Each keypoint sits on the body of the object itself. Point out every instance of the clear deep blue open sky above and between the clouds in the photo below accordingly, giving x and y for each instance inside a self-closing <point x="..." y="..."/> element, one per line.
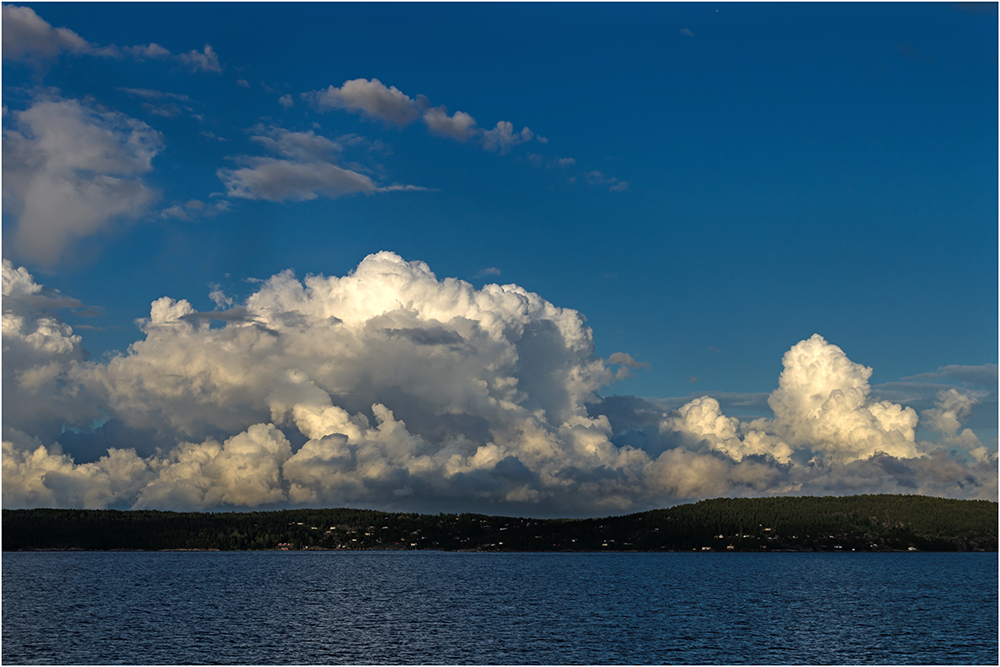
<point x="791" y="169"/>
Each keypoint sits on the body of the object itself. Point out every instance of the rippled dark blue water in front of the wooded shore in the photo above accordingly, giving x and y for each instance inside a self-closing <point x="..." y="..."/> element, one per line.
<point x="422" y="607"/>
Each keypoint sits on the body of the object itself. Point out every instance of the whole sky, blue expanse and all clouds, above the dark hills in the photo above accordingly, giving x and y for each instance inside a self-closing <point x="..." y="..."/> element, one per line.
<point x="533" y="259"/>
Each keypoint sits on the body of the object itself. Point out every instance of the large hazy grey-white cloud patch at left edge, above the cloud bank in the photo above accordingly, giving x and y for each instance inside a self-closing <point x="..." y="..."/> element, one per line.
<point x="70" y="170"/>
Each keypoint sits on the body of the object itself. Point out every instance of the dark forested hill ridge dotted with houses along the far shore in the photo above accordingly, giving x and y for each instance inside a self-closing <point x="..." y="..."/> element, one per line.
<point x="859" y="523"/>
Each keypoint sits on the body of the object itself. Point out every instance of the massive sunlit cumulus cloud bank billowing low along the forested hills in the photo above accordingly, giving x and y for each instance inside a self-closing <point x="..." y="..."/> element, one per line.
<point x="391" y="388"/>
